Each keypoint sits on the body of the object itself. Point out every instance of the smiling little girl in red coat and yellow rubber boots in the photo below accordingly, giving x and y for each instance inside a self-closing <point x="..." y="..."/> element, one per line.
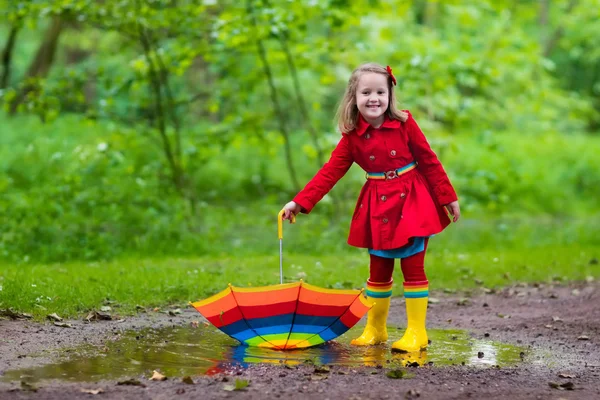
<point x="406" y="198"/>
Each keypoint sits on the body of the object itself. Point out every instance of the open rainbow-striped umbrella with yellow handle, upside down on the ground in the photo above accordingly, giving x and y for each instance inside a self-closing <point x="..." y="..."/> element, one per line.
<point x="285" y="316"/>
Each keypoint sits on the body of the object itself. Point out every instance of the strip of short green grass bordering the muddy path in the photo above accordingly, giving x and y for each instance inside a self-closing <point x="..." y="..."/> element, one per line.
<point x="75" y="288"/>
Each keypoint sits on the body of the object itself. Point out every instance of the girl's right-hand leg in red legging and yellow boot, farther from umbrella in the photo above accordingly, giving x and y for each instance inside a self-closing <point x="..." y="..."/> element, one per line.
<point x="416" y="293"/>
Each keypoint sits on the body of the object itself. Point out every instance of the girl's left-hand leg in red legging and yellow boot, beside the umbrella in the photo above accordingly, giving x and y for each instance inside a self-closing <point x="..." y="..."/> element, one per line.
<point x="379" y="291"/>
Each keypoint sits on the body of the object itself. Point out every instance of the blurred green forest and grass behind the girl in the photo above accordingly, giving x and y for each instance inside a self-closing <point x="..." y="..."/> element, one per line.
<point x="166" y="135"/>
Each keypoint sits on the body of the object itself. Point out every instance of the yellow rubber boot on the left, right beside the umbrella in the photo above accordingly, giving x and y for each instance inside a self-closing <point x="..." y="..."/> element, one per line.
<point x="376" y="330"/>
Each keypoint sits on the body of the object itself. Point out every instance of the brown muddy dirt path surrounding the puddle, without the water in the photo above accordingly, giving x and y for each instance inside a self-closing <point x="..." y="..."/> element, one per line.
<point x="561" y="322"/>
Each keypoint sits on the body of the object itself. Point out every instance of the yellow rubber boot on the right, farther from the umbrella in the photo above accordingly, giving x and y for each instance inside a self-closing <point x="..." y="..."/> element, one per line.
<point x="415" y="336"/>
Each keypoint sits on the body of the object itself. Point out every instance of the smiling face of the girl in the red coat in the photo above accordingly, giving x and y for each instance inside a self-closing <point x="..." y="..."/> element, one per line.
<point x="373" y="97"/>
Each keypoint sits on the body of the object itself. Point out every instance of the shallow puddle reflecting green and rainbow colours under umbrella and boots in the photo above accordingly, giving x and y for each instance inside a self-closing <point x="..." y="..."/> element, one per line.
<point x="184" y="351"/>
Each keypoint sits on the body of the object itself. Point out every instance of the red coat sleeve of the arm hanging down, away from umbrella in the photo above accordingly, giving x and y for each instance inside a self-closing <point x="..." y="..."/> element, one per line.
<point x="428" y="164"/>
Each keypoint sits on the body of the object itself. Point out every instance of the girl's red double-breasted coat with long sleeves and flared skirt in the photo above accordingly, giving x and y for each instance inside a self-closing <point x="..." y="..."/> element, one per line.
<point x="388" y="212"/>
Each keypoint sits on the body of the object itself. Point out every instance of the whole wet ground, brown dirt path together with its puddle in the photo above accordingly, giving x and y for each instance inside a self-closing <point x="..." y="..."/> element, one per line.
<point x="524" y="342"/>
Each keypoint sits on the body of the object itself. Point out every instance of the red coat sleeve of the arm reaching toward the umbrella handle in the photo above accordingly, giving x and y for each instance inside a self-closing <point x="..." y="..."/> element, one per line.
<point x="332" y="171"/>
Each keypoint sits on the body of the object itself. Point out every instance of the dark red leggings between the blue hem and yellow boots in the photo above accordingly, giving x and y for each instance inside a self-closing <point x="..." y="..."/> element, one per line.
<point x="413" y="267"/>
